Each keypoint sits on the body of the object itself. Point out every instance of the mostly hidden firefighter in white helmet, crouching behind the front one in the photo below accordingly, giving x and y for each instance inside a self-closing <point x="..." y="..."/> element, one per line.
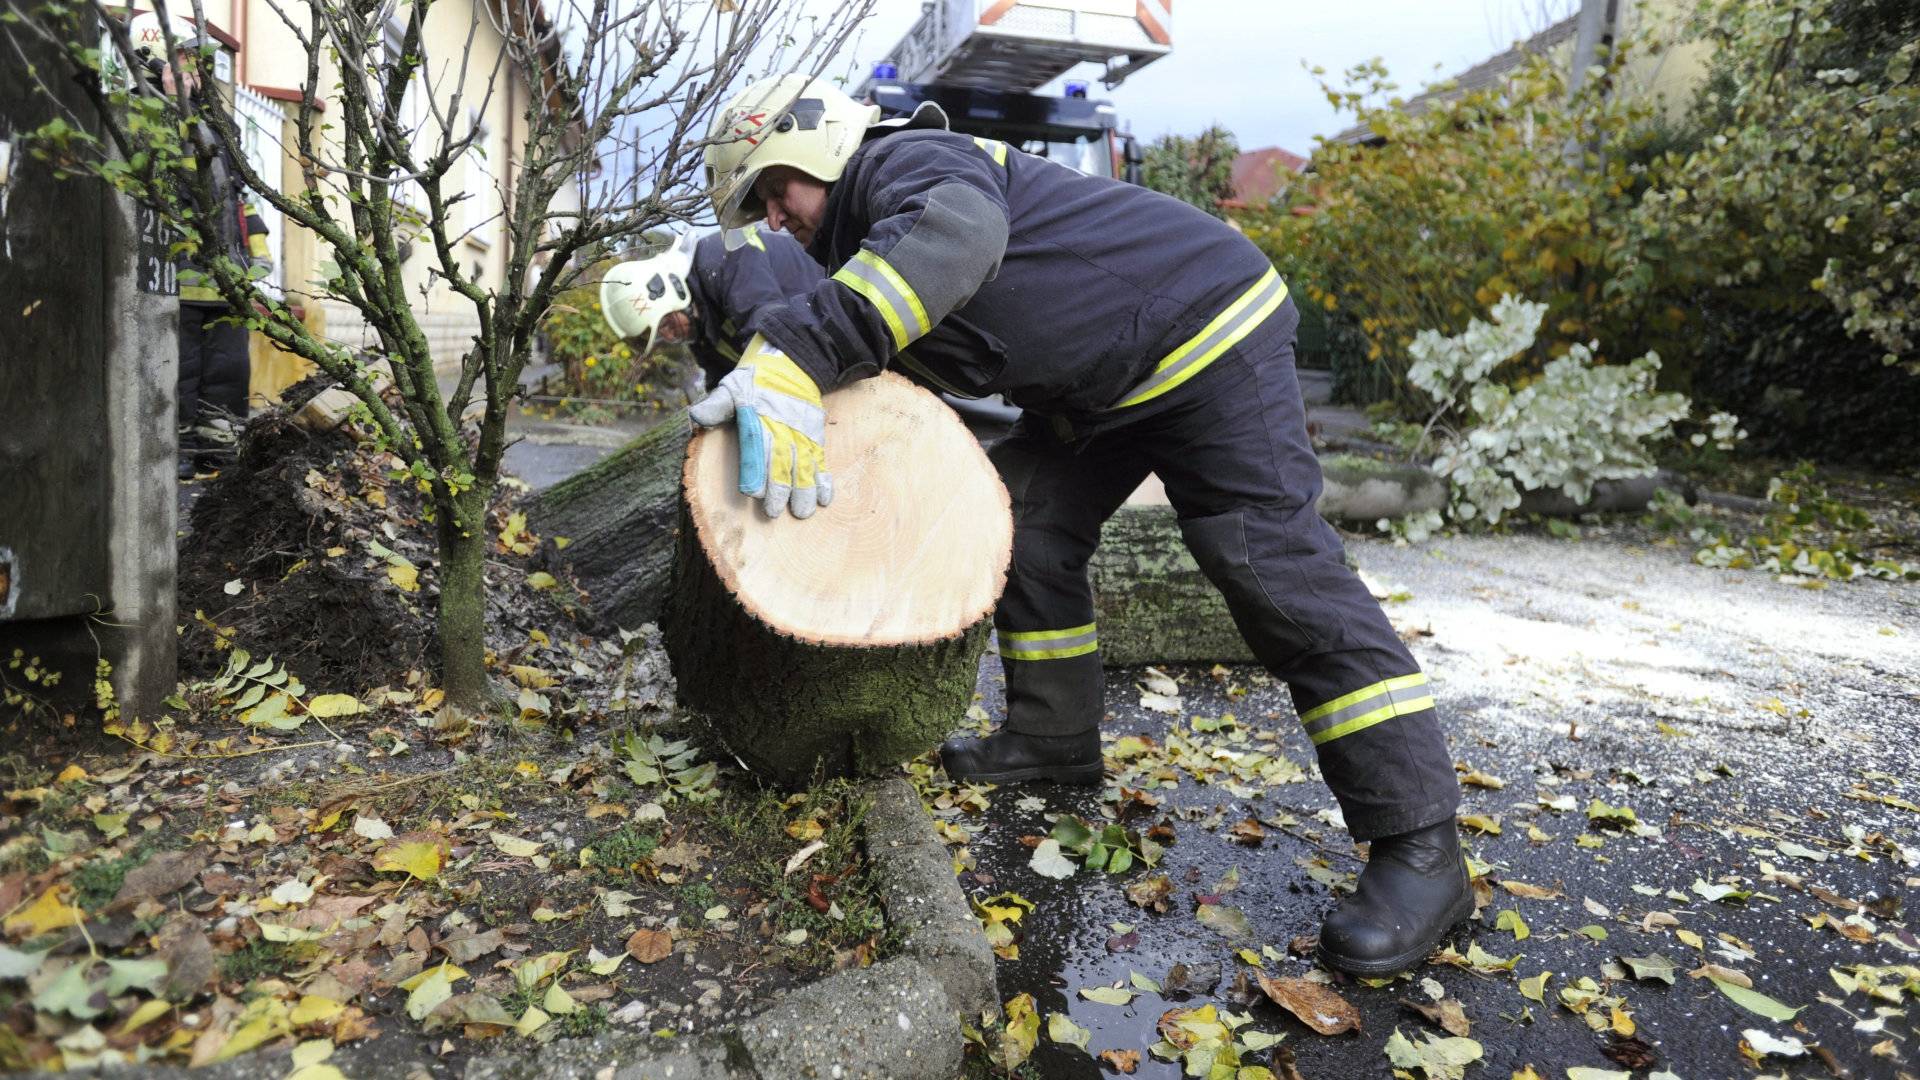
<point x="702" y="293"/>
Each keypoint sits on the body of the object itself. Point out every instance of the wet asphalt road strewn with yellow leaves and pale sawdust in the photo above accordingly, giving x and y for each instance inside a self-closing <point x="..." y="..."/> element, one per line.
<point x="1762" y="733"/>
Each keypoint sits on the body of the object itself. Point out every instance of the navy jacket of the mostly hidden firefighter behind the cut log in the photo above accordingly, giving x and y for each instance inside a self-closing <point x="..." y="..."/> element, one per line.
<point x="729" y="287"/>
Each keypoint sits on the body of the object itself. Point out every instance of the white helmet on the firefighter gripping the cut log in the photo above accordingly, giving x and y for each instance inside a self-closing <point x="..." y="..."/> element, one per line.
<point x="805" y="124"/>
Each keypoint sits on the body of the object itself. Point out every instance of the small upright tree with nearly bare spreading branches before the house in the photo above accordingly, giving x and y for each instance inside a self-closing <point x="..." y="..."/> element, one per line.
<point x="613" y="101"/>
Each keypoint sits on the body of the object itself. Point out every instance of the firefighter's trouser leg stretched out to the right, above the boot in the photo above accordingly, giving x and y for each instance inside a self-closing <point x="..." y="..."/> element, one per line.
<point x="1243" y="476"/>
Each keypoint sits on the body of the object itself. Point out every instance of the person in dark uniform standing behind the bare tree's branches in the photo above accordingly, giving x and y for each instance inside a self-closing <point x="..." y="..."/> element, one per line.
<point x="216" y="368"/>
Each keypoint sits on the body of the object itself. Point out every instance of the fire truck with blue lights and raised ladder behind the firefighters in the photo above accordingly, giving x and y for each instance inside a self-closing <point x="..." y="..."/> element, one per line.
<point x="984" y="62"/>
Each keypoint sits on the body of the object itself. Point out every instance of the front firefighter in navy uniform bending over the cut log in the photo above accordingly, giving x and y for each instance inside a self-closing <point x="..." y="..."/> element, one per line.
<point x="1141" y="337"/>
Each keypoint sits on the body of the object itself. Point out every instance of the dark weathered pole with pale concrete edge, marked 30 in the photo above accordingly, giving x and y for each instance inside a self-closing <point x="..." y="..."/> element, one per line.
<point x="89" y="351"/>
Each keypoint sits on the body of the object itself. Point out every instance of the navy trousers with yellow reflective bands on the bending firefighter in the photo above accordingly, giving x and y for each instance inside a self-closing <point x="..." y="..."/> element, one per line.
<point x="1241" y="474"/>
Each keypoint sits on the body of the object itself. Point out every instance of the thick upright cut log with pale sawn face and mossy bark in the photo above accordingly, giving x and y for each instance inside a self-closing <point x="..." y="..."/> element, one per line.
<point x="846" y="643"/>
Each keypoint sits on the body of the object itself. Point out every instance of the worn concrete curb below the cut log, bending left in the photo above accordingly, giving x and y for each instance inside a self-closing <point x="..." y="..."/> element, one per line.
<point x="894" y="1021"/>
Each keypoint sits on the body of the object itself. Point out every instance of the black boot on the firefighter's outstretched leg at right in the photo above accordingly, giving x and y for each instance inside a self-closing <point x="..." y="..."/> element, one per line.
<point x="1410" y="895"/>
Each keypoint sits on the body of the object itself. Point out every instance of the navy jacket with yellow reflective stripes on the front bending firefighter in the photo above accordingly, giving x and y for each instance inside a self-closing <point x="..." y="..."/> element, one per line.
<point x="982" y="270"/>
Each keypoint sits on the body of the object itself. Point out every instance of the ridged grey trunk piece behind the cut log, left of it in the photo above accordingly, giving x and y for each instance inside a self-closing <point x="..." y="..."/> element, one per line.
<point x="619" y="522"/>
